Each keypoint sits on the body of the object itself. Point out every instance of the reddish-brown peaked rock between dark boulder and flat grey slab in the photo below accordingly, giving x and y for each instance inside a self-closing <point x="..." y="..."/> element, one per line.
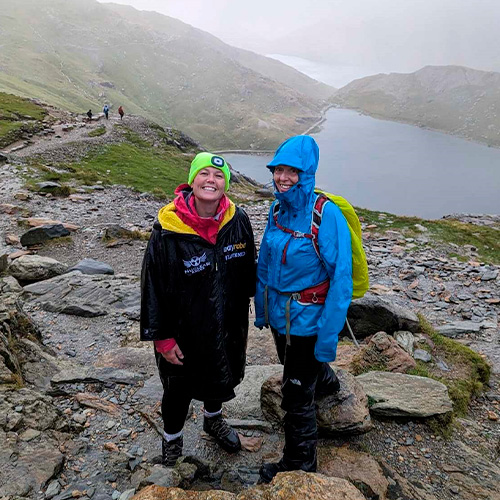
<point x="382" y="353"/>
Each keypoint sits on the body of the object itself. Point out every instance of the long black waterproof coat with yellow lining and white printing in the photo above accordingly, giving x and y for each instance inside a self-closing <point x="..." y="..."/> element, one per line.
<point x="198" y="294"/>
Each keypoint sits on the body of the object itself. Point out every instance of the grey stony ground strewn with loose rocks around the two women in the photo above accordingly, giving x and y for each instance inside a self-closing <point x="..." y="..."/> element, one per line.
<point x="103" y="381"/>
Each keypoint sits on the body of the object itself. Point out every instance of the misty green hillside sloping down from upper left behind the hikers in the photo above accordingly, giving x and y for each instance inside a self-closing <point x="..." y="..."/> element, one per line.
<point x="79" y="54"/>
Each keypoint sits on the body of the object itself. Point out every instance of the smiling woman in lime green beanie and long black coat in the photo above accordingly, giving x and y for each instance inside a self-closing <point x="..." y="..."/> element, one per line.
<point x="198" y="275"/>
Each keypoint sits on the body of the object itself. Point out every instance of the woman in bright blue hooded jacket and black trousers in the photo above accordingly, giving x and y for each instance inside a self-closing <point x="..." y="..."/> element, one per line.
<point x="303" y="291"/>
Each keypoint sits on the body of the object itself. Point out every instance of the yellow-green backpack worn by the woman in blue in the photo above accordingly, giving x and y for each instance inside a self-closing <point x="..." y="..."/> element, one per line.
<point x="360" y="280"/>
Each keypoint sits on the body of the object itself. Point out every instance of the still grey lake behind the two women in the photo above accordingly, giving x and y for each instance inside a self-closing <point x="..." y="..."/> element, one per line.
<point x="397" y="168"/>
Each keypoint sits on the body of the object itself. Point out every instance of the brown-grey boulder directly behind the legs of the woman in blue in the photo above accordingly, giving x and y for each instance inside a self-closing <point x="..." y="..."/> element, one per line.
<point x="343" y="412"/>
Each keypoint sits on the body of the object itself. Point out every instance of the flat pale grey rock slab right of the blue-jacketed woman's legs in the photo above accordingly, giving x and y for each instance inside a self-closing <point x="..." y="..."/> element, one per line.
<point x="401" y="395"/>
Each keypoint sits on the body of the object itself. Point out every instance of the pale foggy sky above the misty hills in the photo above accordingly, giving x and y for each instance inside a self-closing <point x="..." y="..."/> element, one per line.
<point x="384" y="35"/>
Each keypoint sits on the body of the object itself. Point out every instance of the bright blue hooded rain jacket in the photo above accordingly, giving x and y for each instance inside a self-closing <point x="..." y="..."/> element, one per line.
<point x="303" y="268"/>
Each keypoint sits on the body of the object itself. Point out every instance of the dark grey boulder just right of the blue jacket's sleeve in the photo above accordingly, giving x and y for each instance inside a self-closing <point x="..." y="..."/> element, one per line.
<point x="371" y="314"/>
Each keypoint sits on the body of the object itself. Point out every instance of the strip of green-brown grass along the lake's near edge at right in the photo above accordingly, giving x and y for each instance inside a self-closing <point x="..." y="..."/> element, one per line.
<point x="486" y="239"/>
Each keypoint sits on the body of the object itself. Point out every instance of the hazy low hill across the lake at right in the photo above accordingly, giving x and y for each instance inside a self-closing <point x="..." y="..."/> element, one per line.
<point x="454" y="99"/>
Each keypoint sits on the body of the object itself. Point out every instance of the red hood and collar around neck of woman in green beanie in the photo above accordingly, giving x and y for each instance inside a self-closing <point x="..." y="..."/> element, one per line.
<point x="206" y="227"/>
